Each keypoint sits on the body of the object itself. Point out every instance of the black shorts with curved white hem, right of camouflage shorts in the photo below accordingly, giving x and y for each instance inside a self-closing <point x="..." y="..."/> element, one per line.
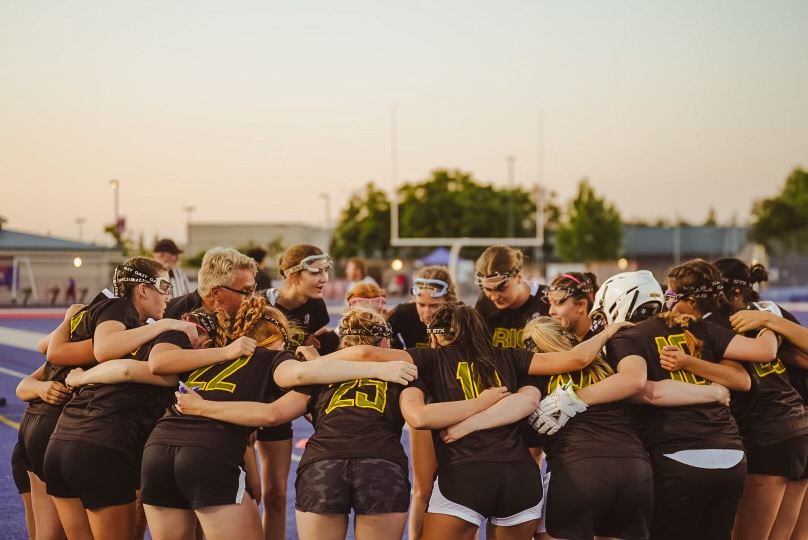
<point x="506" y="493"/>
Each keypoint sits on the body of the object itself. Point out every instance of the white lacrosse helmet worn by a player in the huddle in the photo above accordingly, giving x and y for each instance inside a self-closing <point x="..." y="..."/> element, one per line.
<point x="624" y="296"/>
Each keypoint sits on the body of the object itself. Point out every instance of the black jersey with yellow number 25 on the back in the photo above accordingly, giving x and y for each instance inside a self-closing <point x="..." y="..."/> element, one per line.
<point x="360" y="418"/>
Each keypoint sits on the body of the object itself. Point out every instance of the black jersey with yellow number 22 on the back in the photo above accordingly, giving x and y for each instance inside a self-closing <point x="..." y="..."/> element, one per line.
<point x="248" y="378"/>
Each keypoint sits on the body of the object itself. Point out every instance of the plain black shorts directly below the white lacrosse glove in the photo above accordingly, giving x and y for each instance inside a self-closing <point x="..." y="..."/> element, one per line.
<point x="611" y="497"/>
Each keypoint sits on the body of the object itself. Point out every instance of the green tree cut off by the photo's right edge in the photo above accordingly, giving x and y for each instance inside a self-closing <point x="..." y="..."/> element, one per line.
<point x="781" y="223"/>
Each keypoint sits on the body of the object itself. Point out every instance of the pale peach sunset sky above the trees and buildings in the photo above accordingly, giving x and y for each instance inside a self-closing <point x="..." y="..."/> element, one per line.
<point x="248" y="111"/>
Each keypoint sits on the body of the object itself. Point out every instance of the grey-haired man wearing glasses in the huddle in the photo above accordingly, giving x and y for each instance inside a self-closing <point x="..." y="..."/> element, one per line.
<point x="226" y="279"/>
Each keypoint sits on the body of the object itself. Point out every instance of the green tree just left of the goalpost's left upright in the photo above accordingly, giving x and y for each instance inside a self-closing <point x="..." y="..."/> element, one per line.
<point x="364" y="226"/>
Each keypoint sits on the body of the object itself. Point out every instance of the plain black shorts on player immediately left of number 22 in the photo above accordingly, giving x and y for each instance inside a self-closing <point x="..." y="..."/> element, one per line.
<point x="99" y="476"/>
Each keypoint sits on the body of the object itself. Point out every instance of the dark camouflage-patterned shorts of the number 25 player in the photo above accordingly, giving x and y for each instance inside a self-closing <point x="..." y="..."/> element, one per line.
<point x="368" y="485"/>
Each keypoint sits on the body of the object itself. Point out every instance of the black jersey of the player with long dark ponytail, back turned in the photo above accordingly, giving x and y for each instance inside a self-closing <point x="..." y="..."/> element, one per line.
<point x="445" y="376"/>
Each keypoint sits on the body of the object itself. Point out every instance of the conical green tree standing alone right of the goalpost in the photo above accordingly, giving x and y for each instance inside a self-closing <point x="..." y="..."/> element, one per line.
<point x="591" y="230"/>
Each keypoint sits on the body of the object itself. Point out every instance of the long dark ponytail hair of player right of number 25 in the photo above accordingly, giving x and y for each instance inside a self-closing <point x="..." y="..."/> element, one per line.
<point x="470" y="337"/>
